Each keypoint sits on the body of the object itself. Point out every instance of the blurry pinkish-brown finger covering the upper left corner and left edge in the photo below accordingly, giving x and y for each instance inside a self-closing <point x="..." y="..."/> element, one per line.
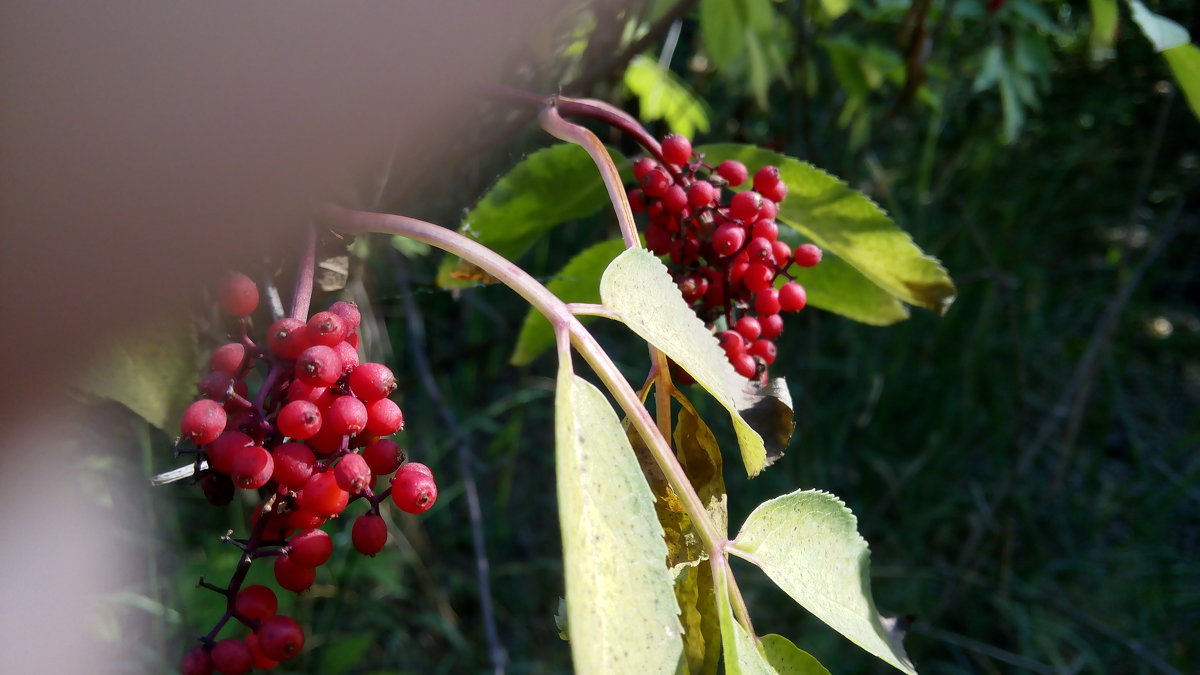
<point x="145" y="150"/>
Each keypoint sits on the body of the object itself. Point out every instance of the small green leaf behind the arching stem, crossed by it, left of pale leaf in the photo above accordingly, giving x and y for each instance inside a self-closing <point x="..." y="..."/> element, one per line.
<point x="579" y="282"/>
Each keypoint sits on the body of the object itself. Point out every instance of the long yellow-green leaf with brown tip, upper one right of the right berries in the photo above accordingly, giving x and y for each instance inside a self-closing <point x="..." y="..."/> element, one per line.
<point x="849" y="224"/>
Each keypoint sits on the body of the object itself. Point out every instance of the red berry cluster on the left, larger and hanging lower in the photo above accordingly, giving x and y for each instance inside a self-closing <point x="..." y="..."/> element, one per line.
<point x="314" y="439"/>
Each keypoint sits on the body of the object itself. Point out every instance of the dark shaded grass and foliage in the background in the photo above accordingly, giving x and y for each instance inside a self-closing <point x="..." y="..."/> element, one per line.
<point x="1025" y="469"/>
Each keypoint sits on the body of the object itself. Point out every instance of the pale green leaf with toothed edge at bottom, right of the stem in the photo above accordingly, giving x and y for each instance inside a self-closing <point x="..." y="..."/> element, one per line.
<point x="808" y="543"/>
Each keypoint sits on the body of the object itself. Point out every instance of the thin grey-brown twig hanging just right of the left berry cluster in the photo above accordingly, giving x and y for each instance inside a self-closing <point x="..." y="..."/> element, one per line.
<point x="416" y="326"/>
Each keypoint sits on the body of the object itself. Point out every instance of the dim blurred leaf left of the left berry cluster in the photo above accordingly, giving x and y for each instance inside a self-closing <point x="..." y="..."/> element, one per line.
<point x="151" y="371"/>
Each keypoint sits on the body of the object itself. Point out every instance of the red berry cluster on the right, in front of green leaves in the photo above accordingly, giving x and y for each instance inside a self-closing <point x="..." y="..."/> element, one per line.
<point x="725" y="254"/>
